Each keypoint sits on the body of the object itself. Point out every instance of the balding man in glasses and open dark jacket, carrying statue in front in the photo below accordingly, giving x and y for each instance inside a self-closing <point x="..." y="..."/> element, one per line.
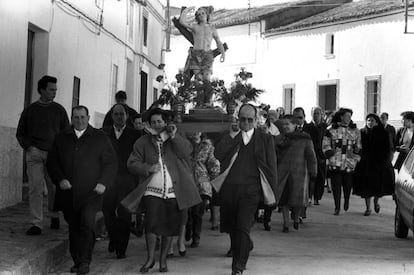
<point x="250" y="159"/>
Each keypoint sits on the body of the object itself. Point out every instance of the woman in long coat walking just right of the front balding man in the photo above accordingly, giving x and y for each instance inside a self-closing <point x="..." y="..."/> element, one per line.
<point x="296" y="165"/>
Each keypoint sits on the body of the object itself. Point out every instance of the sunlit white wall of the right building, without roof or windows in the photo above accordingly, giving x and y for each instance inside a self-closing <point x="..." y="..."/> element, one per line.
<point x="365" y="48"/>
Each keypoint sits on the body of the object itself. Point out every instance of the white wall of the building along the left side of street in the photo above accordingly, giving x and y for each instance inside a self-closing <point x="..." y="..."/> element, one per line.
<point x="67" y="46"/>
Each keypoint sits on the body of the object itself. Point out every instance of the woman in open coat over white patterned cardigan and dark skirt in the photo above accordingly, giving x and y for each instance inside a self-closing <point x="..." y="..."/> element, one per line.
<point x="161" y="160"/>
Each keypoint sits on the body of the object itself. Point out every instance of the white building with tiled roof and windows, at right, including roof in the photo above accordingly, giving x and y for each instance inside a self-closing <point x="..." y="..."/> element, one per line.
<point x="355" y="55"/>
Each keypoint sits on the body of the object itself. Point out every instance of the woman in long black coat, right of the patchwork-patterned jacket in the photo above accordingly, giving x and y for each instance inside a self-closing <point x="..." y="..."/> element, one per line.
<point x="374" y="174"/>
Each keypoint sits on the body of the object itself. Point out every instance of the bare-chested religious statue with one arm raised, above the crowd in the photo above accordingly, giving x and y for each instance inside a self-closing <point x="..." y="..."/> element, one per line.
<point x="200" y="57"/>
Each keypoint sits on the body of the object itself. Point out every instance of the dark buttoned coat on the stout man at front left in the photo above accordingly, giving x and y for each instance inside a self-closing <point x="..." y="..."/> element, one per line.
<point x="84" y="162"/>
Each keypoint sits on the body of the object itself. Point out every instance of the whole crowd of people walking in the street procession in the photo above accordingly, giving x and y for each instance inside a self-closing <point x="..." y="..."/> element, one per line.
<point x="139" y="167"/>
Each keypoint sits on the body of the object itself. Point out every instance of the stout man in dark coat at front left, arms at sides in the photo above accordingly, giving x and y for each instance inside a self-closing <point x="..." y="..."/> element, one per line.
<point x="82" y="164"/>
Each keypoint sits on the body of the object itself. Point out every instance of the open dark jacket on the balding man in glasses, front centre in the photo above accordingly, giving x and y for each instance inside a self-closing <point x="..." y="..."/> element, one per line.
<point x="264" y="152"/>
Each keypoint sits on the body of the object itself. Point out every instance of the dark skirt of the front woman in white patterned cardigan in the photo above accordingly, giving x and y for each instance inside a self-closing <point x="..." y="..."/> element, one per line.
<point x="162" y="216"/>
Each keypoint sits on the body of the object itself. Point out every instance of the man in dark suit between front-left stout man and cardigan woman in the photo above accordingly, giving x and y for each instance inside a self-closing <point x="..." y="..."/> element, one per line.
<point x="117" y="220"/>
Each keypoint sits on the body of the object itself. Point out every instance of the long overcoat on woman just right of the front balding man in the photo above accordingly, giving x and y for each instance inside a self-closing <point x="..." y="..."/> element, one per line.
<point x="296" y="164"/>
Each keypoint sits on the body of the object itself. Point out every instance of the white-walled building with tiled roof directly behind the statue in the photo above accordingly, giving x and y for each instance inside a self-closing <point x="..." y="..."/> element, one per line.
<point x="242" y="30"/>
